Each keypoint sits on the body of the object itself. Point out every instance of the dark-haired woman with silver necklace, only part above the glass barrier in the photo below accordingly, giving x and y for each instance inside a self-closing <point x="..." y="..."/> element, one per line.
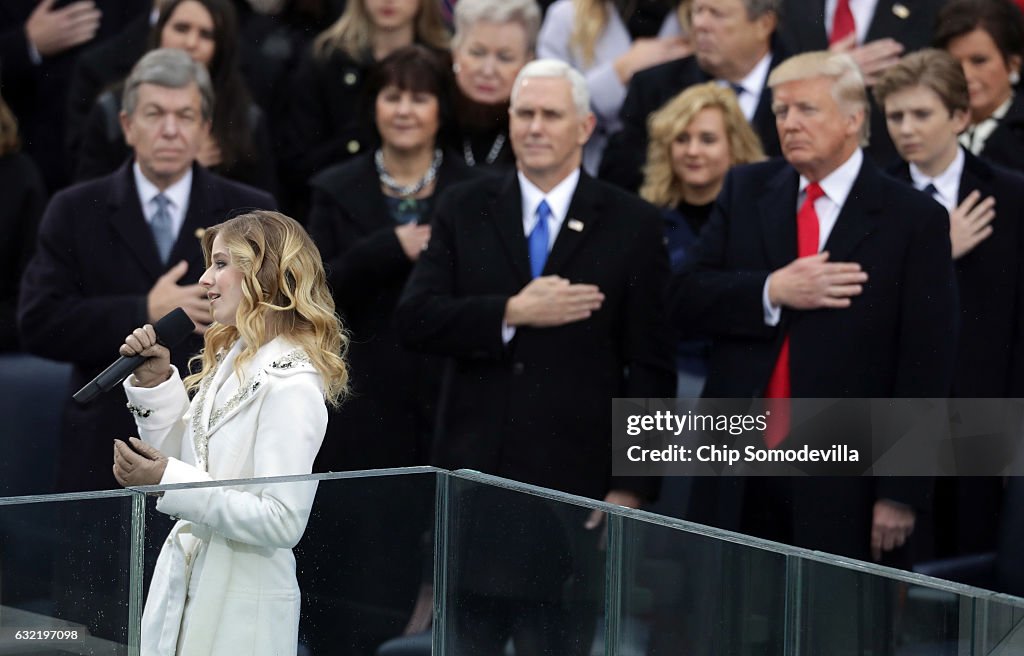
<point x="371" y="220"/>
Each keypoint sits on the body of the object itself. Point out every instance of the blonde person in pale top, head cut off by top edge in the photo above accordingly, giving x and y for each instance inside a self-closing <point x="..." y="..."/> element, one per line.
<point x="609" y="41"/>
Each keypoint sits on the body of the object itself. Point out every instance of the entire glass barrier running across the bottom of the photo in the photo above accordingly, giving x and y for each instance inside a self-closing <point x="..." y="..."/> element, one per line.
<point x="420" y="561"/>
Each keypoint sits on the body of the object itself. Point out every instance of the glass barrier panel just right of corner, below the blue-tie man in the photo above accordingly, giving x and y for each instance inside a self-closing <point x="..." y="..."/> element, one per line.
<point x="523" y="571"/>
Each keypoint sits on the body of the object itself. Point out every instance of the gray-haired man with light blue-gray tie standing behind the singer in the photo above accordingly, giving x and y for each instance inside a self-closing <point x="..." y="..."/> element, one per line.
<point x="122" y="251"/>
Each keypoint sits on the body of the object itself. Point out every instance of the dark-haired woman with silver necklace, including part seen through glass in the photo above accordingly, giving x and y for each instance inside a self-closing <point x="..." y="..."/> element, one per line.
<point x="371" y="220"/>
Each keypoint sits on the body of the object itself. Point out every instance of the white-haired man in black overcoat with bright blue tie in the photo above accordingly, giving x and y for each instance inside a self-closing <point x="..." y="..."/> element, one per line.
<point x="546" y="290"/>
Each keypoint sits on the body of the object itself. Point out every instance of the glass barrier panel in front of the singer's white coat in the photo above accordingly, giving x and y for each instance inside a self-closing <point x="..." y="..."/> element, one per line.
<point x="335" y="563"/>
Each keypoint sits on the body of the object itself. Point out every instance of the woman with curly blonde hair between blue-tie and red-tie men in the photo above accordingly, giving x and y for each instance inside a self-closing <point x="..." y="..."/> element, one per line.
<point x="695" y="141"/>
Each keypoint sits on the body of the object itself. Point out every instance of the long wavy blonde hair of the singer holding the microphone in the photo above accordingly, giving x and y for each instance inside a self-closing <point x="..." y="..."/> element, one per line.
<point x="284" y="293"/>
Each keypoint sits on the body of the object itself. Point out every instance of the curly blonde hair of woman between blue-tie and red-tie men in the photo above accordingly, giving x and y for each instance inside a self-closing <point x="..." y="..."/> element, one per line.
<point x="661" y="186"/>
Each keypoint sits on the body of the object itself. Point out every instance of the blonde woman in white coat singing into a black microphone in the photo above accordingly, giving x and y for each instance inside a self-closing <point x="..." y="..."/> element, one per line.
<point x="225" y="582"/>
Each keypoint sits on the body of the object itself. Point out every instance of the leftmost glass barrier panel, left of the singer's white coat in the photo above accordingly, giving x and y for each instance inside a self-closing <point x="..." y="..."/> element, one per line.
<point x="66" y="574"/>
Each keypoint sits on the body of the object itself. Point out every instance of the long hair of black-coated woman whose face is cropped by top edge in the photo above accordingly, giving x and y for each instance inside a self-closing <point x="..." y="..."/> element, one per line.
<point x="354" y="32"/>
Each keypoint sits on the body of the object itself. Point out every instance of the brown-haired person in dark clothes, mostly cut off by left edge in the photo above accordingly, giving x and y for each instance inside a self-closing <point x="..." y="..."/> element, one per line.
<point x="24" y="201"/>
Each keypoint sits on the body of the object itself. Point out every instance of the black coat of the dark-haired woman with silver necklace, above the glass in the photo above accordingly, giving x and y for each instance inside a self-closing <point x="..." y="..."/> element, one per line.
<point x="395" y="390"/>
